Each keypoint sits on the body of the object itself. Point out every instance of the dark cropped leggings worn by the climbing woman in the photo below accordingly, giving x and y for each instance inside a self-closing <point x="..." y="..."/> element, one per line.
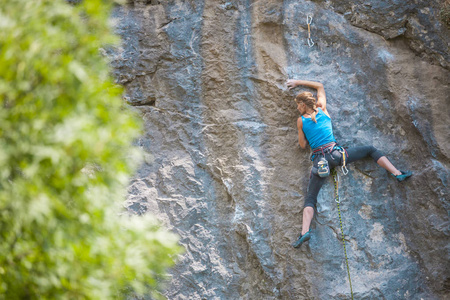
<point x="335" y="159"/>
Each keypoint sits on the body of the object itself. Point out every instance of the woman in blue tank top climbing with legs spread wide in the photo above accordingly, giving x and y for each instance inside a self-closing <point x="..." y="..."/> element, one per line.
<point x="314" y="127"/>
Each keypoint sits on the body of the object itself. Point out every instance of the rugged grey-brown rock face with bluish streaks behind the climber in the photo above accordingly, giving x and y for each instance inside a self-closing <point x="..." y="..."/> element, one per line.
<point x="224" y="169"/>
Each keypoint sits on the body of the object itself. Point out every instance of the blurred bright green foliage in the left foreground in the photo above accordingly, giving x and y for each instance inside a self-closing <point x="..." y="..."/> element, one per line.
<point x="65" y="158"/>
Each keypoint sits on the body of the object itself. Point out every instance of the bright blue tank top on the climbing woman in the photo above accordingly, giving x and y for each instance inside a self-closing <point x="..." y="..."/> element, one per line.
<point x="319" y="133"/>
